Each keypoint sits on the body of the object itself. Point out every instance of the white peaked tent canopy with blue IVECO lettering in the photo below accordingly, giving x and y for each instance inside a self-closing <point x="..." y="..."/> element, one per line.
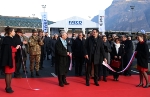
<point x="73" y="22"/>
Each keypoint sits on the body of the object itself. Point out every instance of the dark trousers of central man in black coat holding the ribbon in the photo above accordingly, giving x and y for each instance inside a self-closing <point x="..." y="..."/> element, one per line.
<point x="88" y="71"/>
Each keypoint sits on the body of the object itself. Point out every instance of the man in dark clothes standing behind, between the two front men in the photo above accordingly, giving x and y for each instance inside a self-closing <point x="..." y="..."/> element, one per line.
<point x="78" y="50"/>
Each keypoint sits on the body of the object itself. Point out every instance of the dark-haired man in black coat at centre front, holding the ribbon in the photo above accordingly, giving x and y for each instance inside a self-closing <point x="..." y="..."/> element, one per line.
<point x="93" y="49"/>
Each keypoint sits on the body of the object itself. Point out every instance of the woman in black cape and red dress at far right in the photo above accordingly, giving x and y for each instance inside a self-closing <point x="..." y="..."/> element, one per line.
<point x="142" y="60"/>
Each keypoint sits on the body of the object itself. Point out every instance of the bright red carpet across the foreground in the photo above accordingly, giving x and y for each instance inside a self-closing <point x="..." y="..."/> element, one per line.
<point x="49" y="88"/>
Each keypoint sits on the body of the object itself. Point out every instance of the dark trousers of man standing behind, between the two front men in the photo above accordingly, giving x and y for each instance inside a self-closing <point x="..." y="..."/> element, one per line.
<point x="78" y="66"/>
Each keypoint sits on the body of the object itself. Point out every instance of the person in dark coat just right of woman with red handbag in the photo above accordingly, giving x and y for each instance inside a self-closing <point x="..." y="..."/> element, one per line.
<point x="128" y="51"/>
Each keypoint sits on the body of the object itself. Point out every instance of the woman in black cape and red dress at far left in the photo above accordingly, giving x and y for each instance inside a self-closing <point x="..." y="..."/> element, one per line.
<point x="9" y="48"/>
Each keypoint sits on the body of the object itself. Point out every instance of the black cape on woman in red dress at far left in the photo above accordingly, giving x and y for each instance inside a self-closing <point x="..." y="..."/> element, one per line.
<point x="6" y="55"/>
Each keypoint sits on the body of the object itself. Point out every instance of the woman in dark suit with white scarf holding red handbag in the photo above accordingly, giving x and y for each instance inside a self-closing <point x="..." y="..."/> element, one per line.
<point x="117" y="53"/>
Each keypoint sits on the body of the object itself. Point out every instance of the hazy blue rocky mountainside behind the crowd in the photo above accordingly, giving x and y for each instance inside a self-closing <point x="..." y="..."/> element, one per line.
<point x="119" y="15"/>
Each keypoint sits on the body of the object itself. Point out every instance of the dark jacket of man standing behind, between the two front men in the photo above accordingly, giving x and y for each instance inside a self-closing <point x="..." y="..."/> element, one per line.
<point x="78" y="47"/>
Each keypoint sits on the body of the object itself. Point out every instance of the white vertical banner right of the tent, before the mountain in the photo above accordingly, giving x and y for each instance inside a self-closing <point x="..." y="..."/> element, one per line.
<point x="101" y="21"/>
